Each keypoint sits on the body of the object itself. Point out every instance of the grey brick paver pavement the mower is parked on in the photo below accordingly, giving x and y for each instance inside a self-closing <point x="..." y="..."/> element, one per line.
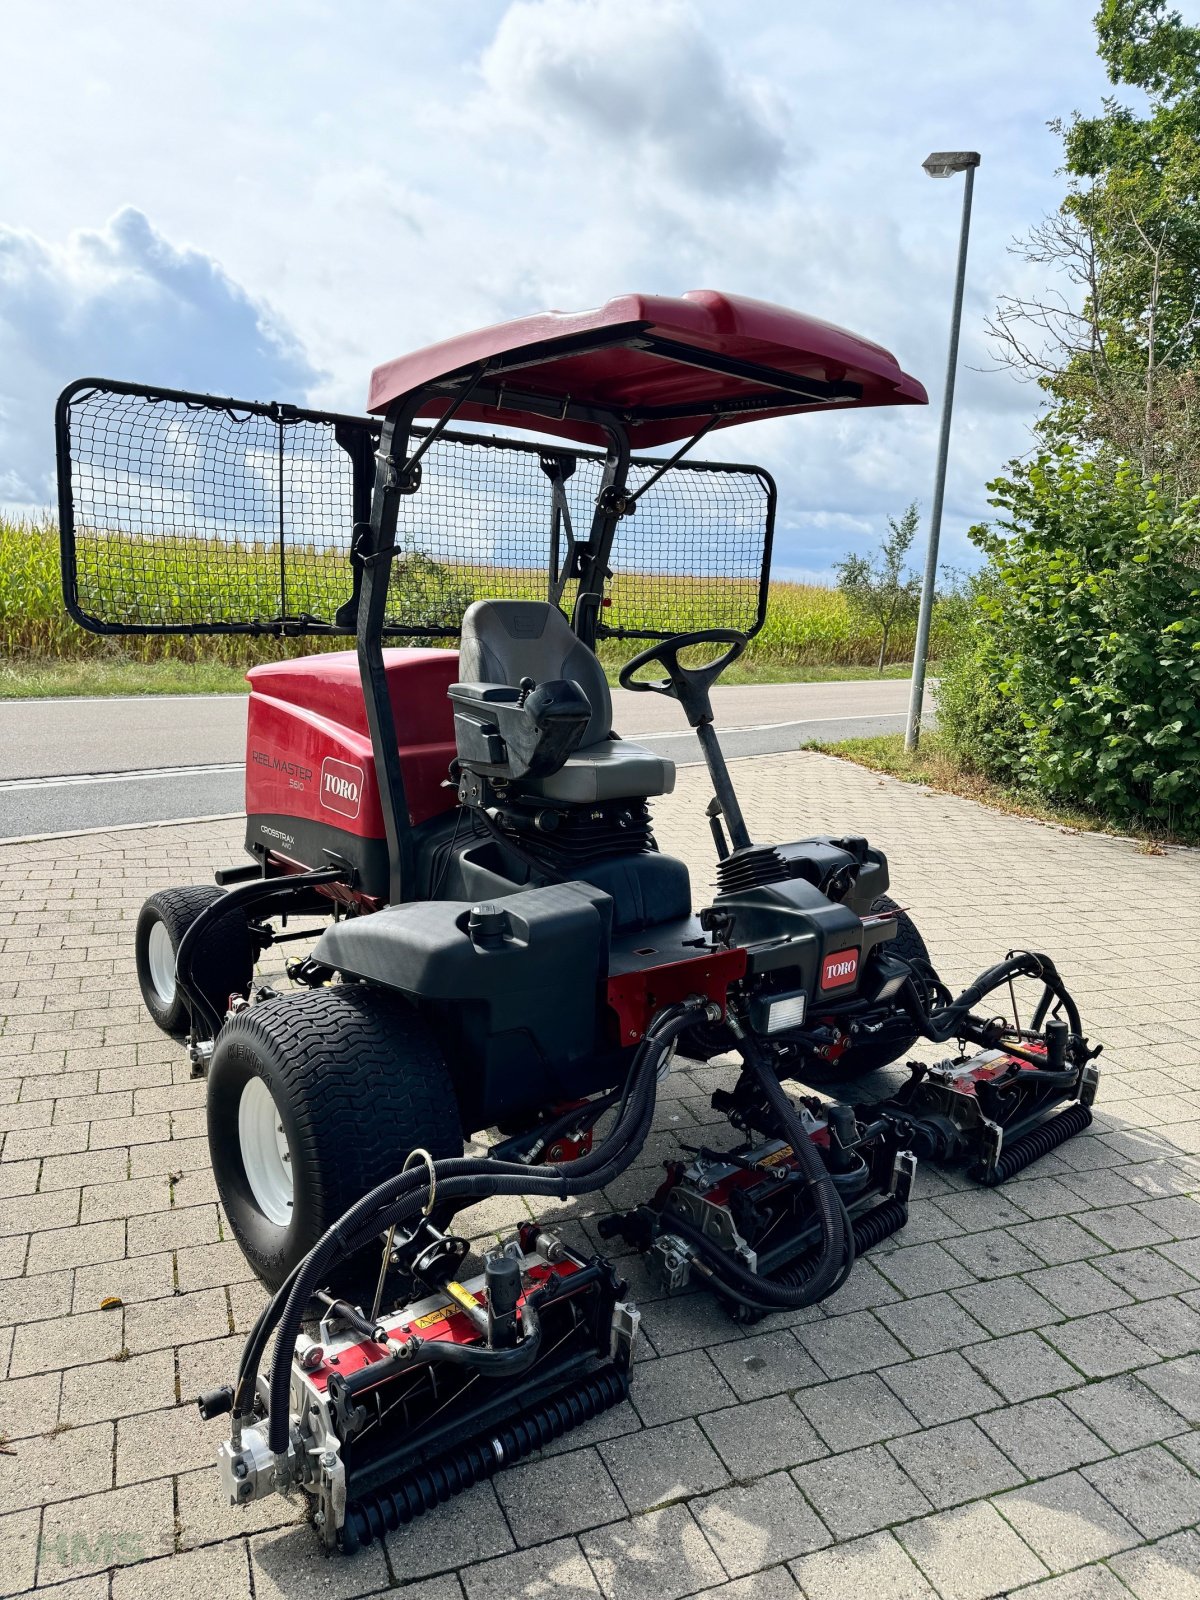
<point x="1002" y="1401"/>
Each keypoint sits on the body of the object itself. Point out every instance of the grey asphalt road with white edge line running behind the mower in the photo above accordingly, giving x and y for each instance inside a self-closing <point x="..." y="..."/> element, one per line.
<point x="82" y="764"/>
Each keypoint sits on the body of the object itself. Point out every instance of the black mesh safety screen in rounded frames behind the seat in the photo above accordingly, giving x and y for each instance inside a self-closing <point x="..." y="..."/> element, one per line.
<point x="183" y="514"/>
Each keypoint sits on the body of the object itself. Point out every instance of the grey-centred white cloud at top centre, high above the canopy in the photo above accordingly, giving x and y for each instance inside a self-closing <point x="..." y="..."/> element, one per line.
<point x="646" y="79"/>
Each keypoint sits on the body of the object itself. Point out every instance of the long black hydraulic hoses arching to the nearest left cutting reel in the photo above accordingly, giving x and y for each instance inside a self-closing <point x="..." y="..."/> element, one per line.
<point x="404" y="1198"/>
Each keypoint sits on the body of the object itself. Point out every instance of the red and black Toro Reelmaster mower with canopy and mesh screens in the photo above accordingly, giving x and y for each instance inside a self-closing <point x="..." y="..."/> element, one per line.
<point x="506" y="946"/>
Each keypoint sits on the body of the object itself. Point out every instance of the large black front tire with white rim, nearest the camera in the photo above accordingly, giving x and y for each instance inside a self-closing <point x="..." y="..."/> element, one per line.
<point x="314" y="1100"/>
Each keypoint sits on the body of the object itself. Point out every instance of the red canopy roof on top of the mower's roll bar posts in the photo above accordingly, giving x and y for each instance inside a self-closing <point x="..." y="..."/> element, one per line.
<point x="663" y="366"/>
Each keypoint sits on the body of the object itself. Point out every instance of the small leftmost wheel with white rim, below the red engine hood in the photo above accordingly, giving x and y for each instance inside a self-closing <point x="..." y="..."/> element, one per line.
<point x="223" y="964"/>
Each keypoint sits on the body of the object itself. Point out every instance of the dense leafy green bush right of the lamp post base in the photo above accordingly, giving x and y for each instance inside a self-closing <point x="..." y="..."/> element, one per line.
<point x="1079" y="670"/>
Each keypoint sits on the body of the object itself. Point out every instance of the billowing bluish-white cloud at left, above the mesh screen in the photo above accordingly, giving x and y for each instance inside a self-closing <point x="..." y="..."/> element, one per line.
<point x="122" y="302"/>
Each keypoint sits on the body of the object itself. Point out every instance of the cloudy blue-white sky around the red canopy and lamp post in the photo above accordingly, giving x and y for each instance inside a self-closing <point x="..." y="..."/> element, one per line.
<point x="270" y="199"/>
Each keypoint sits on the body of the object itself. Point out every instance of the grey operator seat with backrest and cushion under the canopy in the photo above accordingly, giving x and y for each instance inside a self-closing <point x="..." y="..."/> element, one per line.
<point x="508" y="641"/>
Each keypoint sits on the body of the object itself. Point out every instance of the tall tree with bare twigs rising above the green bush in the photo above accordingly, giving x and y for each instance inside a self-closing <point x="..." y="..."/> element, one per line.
<point x="1114" y="338"/>
